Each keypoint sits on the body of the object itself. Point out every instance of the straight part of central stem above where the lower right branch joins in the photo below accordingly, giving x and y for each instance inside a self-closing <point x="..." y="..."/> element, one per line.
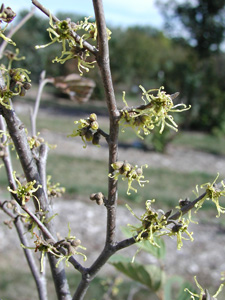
<point x="102" y="58"/>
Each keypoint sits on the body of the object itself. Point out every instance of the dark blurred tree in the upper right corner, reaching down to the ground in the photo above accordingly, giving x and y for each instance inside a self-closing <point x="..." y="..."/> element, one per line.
<point x="203" y="23"/>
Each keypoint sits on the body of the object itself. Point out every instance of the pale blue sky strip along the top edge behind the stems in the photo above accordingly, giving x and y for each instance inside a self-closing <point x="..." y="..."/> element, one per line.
<point x="117" y="12"/>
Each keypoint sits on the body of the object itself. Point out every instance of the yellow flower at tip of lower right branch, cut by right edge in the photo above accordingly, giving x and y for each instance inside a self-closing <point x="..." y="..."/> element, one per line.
<point x="213" y="192"/>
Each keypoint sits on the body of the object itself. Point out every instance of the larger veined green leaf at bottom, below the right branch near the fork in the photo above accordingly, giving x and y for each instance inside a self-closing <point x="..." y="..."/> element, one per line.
<point x="149" y="275"/>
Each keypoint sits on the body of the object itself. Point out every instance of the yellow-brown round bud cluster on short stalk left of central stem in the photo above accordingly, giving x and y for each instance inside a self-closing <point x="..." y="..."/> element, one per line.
<point x="87" y="130"/>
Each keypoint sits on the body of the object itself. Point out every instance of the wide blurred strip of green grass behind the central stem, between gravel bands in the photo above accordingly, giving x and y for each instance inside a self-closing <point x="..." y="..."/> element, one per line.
<point x="83" y="176"/>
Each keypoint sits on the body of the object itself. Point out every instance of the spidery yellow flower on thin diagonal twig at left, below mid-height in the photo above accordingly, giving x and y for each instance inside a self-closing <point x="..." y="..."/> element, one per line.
<point x="25" y="191"/>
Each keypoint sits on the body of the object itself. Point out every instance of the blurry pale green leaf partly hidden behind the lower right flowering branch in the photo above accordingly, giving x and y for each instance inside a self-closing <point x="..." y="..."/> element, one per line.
<point x="159" y="253"/>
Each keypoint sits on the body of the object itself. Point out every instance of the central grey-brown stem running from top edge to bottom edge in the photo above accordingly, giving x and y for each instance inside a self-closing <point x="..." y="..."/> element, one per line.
<point x="102" y="58"/>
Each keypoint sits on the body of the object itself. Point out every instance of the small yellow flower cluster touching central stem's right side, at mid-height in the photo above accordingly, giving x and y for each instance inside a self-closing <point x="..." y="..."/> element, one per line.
<point x="128" y="172"/>
